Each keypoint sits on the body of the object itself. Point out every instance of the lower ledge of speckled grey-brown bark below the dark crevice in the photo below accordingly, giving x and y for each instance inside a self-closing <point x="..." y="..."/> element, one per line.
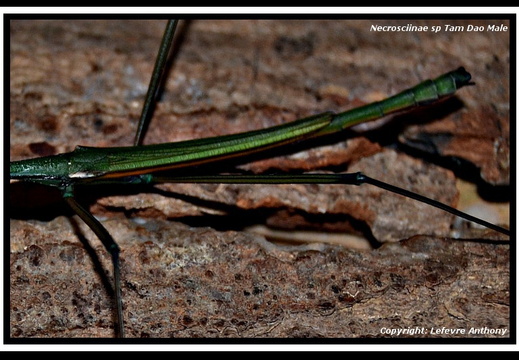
<point x="186" y="282"/>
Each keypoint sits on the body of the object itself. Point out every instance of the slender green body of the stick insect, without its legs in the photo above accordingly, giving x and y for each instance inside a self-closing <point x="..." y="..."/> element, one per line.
<point x="89" y="163"/>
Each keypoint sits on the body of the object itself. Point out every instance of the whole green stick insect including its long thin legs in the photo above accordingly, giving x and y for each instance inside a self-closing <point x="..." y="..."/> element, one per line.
<point x="87" y="166"/>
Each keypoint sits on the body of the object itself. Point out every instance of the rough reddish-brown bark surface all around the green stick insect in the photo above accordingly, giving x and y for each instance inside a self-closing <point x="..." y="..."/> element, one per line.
<point x="82" y="83"/>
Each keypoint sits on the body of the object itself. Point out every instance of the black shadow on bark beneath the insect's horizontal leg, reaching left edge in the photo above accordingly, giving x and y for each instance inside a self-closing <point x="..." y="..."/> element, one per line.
<point x="49" y="204"/>
